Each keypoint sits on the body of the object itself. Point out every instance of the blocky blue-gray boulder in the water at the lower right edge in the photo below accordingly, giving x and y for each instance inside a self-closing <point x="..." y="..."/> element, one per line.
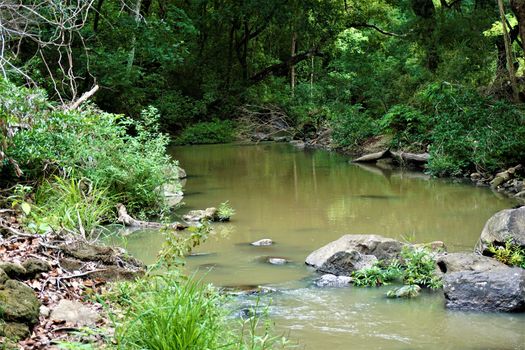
<point x="495" y="290"/>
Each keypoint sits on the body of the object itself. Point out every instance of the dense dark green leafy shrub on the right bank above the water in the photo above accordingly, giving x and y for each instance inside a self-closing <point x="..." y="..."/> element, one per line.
<point x="470" y="130"/>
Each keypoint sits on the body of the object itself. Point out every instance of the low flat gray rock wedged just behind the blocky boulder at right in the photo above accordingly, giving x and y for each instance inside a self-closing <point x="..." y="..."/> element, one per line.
<point x="454" y="262"/>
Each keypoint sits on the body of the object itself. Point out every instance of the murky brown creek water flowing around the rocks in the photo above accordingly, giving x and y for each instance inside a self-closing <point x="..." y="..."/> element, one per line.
<point x="305" y="199"/>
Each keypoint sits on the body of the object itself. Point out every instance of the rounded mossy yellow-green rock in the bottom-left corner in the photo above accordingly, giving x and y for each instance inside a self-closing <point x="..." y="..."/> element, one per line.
<point x="18" y="303"/>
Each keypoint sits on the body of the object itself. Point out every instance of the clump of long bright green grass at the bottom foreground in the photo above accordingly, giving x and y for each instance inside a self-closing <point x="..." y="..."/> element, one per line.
<point x="169" y="313"/>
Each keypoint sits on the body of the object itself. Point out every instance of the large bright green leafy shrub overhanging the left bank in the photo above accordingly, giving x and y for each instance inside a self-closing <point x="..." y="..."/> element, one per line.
<point x="127" y="158"/>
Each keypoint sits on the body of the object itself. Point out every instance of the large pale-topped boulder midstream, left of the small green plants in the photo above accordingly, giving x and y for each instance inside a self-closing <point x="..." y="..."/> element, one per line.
<point x="353" y="252"/>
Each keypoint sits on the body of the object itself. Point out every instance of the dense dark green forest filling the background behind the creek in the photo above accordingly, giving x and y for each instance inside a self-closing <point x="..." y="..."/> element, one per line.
<point x="439" y="76"/>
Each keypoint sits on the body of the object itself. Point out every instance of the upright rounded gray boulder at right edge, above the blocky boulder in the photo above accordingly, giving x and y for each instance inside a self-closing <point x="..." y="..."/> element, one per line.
<point x="503" y="226"/>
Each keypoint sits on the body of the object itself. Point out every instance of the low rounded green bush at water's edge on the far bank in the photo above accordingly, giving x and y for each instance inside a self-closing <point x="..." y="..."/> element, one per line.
<point x="217" y="131"/>
